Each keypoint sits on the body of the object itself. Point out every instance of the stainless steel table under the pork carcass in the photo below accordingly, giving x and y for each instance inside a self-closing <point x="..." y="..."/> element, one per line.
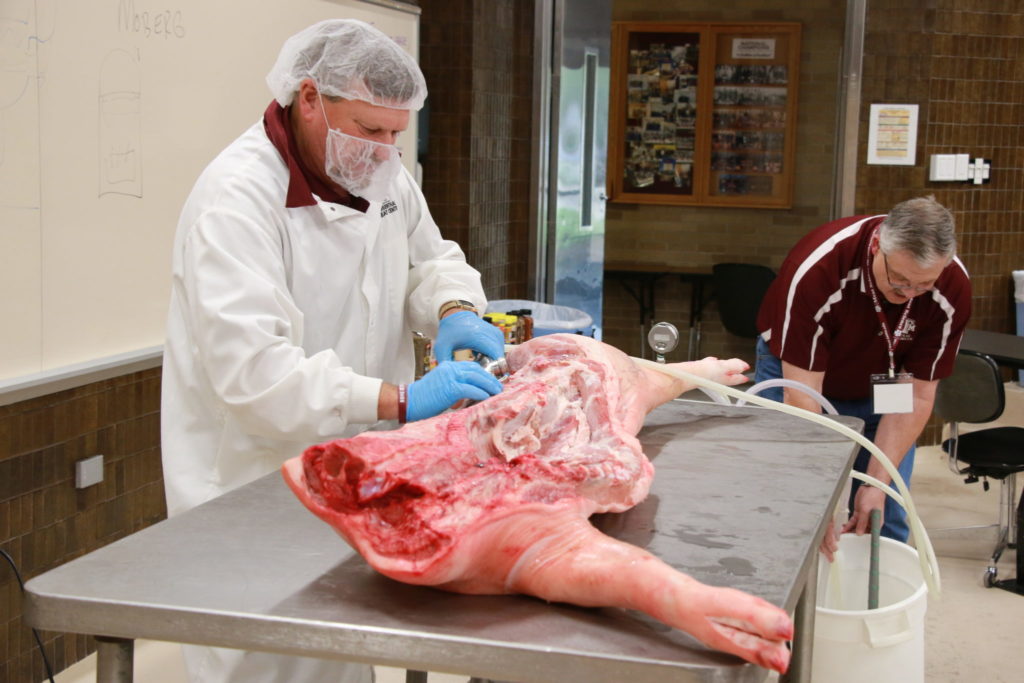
<point x="740" y="500"/>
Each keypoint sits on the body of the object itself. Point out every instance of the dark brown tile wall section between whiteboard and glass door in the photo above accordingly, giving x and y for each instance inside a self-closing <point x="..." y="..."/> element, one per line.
<point x="478" y="59"/>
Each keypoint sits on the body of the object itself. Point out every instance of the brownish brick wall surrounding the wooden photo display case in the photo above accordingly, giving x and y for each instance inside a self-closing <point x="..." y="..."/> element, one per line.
<point x="701" y="237"/>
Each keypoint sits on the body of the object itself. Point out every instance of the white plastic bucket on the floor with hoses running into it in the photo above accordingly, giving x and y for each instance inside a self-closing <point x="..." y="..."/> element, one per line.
<point x="857" y="645"/>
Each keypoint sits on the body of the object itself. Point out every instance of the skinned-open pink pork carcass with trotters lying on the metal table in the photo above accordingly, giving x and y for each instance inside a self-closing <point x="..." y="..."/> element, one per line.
<point x="495" y="498"/>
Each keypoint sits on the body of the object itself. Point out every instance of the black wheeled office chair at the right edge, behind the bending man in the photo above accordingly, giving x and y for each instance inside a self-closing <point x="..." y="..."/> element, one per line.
<point x="974" y="394"/>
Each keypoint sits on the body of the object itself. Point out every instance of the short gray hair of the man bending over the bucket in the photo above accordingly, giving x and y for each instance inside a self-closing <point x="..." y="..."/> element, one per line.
<point x="922" y="227"/>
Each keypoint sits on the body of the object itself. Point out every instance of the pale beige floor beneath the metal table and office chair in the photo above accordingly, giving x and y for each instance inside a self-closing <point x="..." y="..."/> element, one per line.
<point x="971" y="633"/>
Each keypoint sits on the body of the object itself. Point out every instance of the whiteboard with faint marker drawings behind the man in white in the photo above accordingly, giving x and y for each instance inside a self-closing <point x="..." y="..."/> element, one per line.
<point x="109" y="112"/>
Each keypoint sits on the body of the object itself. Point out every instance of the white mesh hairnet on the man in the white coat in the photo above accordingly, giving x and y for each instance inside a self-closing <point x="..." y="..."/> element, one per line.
<point x="352" y="60"/>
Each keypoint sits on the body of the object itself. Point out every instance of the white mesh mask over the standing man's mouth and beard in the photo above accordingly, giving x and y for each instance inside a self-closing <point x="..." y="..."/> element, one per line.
<point x="363" y="167"/>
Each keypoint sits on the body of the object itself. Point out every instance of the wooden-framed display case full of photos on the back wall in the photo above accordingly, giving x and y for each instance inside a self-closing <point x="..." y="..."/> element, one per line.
<point x="704" y="113"/>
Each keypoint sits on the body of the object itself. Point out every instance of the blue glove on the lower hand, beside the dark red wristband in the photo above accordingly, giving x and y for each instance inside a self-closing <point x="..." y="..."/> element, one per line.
<point x="449" y="382"/>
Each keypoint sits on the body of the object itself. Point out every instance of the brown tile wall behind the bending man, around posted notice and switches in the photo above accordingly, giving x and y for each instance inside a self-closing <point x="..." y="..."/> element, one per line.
<point x="963" y="62"/>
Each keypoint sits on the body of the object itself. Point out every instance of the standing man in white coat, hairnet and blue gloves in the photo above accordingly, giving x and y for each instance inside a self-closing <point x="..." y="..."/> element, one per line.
<point x="305" y="258"/>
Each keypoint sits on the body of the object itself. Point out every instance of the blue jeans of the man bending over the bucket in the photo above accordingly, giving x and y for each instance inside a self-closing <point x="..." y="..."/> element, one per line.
<point x="895" y="526"/>
